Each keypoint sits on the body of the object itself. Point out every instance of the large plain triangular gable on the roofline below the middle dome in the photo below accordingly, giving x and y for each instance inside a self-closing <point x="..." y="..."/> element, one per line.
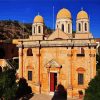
<point x="58" y="34"/>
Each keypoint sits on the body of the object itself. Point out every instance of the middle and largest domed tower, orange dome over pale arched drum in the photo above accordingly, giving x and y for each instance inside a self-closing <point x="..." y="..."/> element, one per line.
<point x="64" y="21"/>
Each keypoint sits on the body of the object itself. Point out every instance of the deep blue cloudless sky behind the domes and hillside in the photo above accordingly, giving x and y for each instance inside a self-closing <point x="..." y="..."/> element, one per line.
<point x="26" y="10"/>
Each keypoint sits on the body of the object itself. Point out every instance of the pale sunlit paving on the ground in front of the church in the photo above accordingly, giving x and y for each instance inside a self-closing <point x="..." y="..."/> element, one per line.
<point x="47" y="97"/>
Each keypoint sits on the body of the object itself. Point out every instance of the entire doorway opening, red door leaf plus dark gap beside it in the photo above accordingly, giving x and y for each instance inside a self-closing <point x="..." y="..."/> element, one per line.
<point x="53" y="81"/>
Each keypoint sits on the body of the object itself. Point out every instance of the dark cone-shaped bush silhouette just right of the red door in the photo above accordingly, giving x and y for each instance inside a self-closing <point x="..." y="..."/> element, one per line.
<point x="60" y="93"/>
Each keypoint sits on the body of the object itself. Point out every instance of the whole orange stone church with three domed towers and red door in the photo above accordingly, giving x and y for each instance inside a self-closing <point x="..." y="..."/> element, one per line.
<point x="62" y="57"/>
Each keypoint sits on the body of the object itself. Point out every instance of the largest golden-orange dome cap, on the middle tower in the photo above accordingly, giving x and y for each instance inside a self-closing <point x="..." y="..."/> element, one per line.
<point x="64" y="13"/>
